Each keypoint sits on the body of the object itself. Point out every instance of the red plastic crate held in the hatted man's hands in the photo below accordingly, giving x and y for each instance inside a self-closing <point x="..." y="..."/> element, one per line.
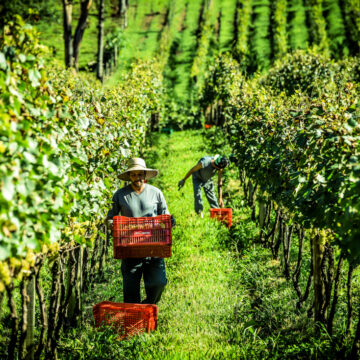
<point x="142" y="236"/>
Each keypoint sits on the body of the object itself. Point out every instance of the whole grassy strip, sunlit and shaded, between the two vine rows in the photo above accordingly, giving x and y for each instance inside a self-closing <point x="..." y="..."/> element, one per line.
<point x="219" y="303"/>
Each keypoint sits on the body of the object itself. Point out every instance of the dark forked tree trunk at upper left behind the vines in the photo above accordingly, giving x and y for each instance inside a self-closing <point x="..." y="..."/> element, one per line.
<point x="72" y="44"/>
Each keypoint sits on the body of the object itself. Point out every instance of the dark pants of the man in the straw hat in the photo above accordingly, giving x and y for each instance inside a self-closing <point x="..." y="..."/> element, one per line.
<point x="153" y="271"/>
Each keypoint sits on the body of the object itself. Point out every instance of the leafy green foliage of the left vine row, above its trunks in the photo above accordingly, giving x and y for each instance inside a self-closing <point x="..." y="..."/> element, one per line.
<point x="60" y="135"/>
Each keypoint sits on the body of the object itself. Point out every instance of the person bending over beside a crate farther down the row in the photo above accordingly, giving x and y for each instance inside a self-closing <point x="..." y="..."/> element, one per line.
<point x="202" y="174"/>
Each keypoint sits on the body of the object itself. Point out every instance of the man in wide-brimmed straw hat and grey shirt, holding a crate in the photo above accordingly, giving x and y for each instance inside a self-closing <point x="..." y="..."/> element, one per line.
<point x="139" y="199"/>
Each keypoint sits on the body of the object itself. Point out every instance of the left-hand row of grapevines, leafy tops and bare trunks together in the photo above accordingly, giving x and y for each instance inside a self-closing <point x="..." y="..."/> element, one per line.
<point x="62" y="140"/>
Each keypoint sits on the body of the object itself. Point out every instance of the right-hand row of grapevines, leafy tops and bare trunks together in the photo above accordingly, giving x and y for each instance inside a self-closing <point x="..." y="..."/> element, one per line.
<point x="295" y="135"/>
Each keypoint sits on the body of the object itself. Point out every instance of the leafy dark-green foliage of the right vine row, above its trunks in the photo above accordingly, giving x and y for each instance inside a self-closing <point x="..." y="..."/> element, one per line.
<point x="302" y="157"/>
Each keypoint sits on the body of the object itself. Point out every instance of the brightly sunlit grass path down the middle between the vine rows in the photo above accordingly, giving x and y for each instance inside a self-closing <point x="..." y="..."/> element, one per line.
<point x="202" y="293"/>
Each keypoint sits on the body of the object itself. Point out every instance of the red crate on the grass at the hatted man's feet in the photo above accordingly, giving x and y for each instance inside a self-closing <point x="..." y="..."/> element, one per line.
<point x="127" y="319"/>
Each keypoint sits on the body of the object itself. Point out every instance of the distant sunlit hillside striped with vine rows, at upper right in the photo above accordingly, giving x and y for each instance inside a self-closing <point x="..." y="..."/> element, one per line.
<point x="256" y="33"/>
